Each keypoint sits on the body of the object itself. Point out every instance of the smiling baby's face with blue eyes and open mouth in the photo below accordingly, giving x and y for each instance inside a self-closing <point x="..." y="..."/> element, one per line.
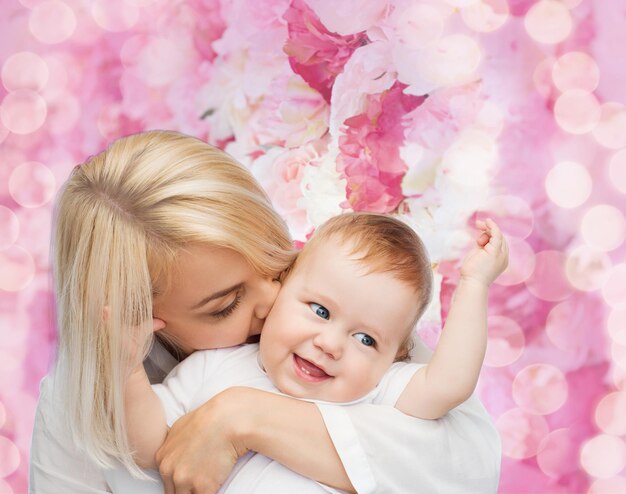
<point x="334" y="330"/>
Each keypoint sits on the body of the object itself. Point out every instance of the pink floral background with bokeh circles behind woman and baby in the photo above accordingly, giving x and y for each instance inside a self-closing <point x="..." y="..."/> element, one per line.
<point x="434" y="110"/>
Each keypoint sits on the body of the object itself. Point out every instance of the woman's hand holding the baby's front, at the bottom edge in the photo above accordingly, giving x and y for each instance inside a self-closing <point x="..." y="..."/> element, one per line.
<point x="202" y="447"/>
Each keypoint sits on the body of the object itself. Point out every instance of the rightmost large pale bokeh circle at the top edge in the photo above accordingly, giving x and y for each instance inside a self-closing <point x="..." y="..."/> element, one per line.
<point x="548" y="22"/>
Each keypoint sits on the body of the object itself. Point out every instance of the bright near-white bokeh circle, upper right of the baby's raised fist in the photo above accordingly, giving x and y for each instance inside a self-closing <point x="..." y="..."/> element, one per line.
<point x="568" y="184"/>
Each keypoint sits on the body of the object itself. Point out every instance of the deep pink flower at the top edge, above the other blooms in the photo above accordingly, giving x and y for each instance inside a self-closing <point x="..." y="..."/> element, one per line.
<point x="315" y="53"/>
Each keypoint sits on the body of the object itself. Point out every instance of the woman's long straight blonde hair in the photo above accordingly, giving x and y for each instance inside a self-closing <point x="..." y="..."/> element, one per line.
<point x="120" y="220"/>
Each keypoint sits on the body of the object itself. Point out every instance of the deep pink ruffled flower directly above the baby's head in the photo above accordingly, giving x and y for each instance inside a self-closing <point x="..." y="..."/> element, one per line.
<point x="370" y="151"/>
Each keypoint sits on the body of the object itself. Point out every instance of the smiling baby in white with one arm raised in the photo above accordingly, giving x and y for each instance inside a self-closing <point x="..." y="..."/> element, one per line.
<point x="340" y="330"/>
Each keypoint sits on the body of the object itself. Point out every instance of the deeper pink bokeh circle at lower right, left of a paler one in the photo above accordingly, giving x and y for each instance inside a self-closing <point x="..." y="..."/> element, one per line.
<point x="557" y="454"/>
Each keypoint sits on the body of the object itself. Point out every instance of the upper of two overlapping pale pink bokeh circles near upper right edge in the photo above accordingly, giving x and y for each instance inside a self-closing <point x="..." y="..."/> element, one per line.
<point x="576" y="70"/>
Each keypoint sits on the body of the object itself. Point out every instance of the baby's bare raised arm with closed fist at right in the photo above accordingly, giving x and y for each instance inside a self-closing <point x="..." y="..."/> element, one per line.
<point x="450" y="377"/>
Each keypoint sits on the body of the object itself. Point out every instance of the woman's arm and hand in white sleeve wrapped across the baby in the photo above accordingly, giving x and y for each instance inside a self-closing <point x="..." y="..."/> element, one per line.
<point x="362" y="448"/>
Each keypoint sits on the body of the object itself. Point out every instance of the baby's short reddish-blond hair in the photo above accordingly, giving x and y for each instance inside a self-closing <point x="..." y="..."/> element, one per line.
<point x="383" y="244"/>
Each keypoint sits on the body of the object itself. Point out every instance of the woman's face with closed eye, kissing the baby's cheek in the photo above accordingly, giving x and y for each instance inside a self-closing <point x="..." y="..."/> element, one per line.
<point x="215" y="299"/>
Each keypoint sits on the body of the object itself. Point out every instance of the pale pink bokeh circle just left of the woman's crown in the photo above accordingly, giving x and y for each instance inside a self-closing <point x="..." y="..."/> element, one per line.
<point x="32" y="184"/>
